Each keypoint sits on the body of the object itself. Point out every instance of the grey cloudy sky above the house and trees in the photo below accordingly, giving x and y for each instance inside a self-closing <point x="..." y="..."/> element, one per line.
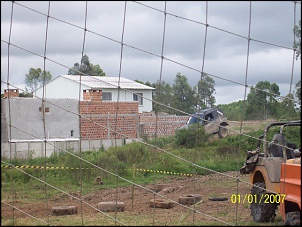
<point x="221" y="50"/>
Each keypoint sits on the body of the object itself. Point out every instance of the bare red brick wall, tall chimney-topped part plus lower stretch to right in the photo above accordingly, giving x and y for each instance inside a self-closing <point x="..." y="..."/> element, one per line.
<point x="99" y="119"/>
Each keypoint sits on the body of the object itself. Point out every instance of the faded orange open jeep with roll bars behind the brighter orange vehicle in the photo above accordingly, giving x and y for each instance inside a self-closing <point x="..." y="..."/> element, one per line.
<point x="264" y="166"/>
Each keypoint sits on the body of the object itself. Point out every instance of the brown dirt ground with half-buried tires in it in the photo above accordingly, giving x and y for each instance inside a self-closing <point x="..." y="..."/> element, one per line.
<point x="137" y="210"/>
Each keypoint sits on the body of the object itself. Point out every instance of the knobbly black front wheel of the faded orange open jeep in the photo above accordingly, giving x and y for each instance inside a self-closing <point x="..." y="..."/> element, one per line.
<point x="261" y="211"/>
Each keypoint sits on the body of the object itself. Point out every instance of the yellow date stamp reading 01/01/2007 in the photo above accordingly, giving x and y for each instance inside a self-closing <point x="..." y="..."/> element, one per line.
<point x="264" y="198"/>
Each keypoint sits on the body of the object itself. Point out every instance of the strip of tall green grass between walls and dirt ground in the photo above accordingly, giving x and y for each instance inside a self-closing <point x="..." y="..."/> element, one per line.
<point x="220" y="155"/>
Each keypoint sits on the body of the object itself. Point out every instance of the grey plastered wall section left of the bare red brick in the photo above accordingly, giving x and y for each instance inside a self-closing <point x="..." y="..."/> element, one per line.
<point x="27" y="119"/>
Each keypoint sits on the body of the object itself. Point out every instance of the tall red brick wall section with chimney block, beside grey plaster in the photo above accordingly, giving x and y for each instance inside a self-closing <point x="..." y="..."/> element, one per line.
<point x="99" y="119"/>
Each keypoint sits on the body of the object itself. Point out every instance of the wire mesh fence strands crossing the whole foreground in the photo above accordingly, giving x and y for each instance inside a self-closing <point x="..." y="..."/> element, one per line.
<point x="162" y="58"/>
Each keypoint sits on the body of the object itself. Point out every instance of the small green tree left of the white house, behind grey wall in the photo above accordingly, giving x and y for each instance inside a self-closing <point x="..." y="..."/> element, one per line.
<point x="35" y="78"/>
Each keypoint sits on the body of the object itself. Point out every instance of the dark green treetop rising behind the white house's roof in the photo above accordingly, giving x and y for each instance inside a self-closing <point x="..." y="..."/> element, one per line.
<point x="86" y="67"/>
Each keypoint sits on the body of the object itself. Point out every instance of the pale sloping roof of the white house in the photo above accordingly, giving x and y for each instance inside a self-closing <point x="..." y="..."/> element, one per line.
<point x="107" y="82"/>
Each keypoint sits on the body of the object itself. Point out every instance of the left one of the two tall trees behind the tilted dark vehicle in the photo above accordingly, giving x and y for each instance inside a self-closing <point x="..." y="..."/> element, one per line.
<point x="183" y="95"/>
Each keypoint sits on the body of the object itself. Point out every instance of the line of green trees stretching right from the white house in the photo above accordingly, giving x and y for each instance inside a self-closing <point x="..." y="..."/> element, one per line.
<point x="263" y="101"/>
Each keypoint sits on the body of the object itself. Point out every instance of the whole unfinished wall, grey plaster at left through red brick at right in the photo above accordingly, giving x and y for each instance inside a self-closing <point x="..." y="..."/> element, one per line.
<point x="101" y="124"/>
